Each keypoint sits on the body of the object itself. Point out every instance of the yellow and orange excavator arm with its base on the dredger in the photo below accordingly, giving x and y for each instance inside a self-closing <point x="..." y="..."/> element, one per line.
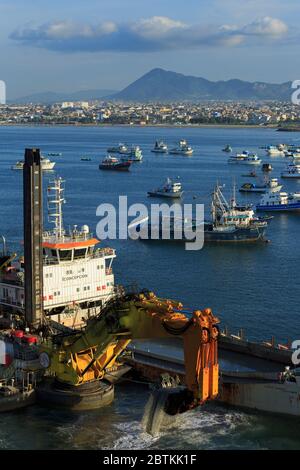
<point x="80" y="359"/>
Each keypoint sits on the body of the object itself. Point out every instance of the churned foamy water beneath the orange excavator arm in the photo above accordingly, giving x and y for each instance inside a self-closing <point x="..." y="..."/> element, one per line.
<point x="202" y="428"/>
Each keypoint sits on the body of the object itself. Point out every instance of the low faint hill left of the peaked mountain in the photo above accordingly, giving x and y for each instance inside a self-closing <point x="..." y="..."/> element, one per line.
<point x="50" y="97"/>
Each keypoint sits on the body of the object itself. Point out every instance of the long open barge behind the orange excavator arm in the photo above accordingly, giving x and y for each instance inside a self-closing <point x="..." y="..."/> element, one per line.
<point x="253" y="376"/>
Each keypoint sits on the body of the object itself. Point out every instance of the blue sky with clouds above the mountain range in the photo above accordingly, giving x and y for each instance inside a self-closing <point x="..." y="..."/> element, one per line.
<point x="70" y="45"/>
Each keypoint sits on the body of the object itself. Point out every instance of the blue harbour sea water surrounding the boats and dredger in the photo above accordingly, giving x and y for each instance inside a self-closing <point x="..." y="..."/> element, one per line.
<point x="255" y="287"/>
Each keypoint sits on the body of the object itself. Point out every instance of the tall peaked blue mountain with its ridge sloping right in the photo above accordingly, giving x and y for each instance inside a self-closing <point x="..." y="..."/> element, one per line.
<point x="161" y="85"/>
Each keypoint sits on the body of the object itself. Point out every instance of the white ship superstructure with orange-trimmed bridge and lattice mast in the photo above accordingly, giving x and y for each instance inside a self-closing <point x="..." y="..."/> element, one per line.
<point x="77" y="274"/>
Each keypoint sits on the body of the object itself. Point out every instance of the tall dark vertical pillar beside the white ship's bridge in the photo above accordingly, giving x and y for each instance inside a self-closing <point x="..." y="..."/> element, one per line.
<point x="33" y="237"/>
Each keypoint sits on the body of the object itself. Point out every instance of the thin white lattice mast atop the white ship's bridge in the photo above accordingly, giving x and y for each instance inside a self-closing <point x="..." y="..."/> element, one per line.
<point x="55" y="201"/>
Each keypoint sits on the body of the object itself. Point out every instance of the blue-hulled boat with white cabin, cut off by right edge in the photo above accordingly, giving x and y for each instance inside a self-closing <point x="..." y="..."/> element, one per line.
<point x="279" y="202"/>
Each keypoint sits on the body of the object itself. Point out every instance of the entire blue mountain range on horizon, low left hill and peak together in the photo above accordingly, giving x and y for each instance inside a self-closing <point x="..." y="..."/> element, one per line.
<point x="164" y="86"/>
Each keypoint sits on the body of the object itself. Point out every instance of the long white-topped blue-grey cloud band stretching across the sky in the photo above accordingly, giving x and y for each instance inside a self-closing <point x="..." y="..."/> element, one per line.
<point x="150" y="34"/>
